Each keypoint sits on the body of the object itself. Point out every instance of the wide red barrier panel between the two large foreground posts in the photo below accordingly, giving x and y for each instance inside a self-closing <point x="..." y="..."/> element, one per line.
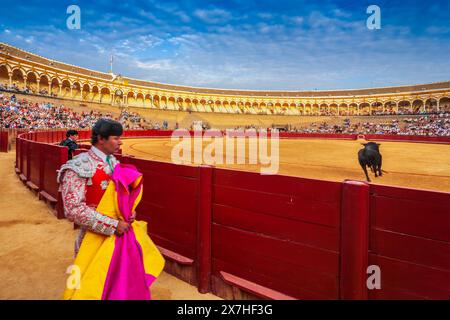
<point x="277" y="231"/>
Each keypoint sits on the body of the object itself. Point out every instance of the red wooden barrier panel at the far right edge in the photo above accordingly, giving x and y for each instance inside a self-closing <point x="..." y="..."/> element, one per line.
<point x="410" y="242"/>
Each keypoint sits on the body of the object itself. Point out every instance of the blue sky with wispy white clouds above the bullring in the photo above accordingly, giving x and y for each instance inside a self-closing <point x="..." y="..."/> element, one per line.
<point x="245" y="44"/>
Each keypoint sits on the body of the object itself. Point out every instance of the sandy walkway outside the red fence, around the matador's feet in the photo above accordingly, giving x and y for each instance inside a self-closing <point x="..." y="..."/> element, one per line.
<point x="36" y="248"/>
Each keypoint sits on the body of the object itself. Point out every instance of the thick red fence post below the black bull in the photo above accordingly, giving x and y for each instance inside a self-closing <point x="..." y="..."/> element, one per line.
<point x="354" y="240"/>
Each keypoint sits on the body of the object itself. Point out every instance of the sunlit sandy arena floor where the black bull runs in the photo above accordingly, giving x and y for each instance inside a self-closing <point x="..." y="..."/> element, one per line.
<point x="413" y="165"/>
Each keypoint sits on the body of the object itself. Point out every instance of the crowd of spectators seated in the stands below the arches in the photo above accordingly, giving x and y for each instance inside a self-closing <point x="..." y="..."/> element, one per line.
<point x="24" y="114"/>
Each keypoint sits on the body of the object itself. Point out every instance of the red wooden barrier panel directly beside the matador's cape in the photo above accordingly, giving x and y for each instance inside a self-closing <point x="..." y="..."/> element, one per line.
<point x="172" y="223"/>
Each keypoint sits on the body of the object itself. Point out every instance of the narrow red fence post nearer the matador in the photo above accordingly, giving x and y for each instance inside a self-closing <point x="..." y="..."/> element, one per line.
<point x="204" y="230"/>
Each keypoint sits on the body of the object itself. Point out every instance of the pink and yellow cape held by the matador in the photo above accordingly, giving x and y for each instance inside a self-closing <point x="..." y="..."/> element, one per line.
<point x="118" y="267"/>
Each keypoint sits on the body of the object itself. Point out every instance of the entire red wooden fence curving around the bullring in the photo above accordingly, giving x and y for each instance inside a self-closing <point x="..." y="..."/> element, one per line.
<point x="240" y="234"/>
